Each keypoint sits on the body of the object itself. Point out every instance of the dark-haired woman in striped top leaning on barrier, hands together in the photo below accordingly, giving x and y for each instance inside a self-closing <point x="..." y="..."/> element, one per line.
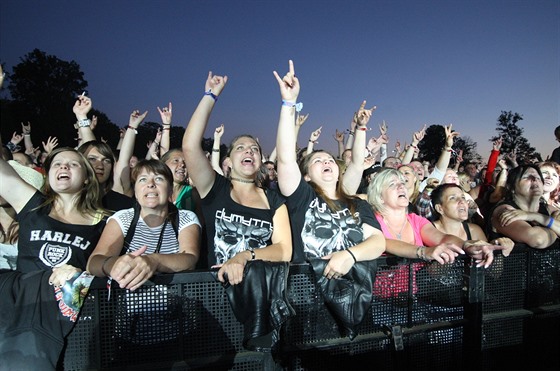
<point x="164" y="239"/>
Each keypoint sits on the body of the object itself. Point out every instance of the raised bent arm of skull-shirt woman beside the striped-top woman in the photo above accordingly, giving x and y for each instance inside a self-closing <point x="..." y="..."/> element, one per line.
<point x="200" y="169"/>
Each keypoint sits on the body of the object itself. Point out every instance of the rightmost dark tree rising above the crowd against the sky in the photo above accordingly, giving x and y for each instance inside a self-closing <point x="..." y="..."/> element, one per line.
<point x="513" y="139"/>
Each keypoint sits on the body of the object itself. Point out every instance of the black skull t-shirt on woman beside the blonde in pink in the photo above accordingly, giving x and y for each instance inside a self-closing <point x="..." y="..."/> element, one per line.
<point x="317" y="230"/>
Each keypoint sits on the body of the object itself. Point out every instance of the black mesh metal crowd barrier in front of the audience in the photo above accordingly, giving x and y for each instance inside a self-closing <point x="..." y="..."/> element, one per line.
<point x="422" y="317"/>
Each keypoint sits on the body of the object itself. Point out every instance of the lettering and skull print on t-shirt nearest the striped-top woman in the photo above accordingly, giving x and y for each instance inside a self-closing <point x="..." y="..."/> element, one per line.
<point x="236" y="233"/>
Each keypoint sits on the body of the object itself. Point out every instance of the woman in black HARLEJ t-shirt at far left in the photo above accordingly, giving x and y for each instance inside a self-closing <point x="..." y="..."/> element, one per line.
<point x="58" y="230"/>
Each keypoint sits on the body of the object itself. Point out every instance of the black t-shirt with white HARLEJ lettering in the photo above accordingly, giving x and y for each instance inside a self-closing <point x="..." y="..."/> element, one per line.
<point x="45" y="242"/>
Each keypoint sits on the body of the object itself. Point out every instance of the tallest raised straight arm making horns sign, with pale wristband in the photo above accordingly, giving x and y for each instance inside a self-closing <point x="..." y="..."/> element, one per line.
<point x="289" y="175"/>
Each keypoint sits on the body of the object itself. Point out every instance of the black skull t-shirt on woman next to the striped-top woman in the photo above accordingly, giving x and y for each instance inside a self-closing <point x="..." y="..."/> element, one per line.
<point x="232" y="227"/>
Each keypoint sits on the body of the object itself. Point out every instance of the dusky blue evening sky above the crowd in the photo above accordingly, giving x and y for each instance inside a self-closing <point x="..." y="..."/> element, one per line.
<point x="419" y="61"/>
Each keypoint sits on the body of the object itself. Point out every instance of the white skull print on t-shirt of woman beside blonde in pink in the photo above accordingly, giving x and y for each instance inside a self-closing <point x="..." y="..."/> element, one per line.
<point x="325" y="232"/>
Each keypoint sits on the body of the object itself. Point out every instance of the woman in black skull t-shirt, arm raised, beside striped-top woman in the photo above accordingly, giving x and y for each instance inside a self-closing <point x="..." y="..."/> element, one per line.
<point x="244" y="221"/>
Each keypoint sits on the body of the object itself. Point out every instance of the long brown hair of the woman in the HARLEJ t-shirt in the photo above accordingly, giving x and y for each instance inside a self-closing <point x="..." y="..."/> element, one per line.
<point x="89" y="200"/>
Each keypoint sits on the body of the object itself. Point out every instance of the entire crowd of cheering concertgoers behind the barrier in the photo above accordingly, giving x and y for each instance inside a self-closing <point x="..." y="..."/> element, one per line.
<point x="99" y="210"/>
